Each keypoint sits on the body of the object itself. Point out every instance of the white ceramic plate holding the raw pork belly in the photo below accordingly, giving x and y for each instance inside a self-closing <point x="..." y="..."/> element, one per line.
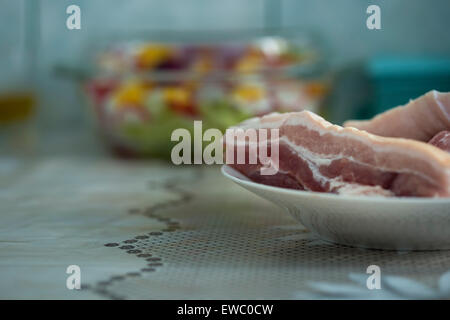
<point x="361" y="221"/>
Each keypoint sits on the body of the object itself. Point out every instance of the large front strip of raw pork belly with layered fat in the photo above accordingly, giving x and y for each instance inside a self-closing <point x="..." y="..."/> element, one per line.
<point x="319" y="156"/>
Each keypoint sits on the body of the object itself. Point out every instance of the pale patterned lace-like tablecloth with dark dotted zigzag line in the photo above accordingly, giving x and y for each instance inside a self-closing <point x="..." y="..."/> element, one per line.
<point x="151" y="231"/>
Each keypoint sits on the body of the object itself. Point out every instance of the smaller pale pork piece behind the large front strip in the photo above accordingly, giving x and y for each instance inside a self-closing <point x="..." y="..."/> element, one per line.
<point x="420" y="119"/>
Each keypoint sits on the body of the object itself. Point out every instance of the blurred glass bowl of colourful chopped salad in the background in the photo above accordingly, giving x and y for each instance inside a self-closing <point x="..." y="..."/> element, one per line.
<point x="141" y="91"/>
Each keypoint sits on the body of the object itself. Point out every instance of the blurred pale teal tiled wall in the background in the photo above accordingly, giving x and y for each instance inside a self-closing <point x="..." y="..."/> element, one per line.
<point x="408" y="27"/>
